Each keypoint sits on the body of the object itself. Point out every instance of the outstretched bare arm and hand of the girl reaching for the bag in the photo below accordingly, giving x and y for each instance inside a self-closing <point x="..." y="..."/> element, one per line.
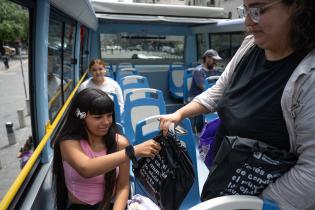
<point x="87" y="167"/>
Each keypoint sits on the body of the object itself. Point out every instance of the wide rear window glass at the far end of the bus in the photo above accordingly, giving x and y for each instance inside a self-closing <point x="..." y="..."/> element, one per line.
<point x="128" y="47"/>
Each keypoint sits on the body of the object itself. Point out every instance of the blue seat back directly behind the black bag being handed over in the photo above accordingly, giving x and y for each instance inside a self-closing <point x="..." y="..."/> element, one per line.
<point x="149" y="128"/>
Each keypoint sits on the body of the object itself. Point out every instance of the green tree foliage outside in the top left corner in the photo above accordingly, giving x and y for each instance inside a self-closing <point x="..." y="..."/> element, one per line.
<point x="13" y="22"/>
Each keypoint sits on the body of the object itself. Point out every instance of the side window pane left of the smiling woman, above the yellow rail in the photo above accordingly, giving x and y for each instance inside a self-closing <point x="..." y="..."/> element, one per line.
<point x="60" y="69"/>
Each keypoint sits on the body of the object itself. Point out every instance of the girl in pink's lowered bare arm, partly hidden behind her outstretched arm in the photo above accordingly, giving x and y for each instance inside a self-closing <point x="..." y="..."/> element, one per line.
<point x="122" y="186"/>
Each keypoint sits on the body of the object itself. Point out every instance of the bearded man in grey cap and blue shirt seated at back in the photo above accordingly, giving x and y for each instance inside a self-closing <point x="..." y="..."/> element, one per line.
<point x="206" y="69"/>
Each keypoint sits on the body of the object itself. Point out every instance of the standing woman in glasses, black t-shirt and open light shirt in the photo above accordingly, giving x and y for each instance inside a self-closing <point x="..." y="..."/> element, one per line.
<point x="266" y="93"/>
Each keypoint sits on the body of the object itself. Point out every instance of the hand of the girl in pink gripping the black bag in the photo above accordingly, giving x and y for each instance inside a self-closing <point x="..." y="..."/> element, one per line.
<point x="148" y="148"/>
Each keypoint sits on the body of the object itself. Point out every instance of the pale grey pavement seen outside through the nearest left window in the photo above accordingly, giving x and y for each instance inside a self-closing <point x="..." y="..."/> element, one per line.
<point x="12" y="98"/>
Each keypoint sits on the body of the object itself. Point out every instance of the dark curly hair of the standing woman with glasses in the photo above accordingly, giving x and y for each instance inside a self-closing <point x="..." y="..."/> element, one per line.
<point x="303" y="25"/>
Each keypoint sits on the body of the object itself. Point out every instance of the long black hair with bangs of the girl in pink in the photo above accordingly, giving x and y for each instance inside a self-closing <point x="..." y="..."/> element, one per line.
<point x="93" y="101"/>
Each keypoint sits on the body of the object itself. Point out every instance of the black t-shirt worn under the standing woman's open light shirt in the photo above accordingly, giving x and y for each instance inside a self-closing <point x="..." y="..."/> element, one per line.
<point x="250" y="106"/>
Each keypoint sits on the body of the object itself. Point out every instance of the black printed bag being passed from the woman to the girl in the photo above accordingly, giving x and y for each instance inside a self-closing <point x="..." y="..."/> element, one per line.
<point x="168" y="176"/>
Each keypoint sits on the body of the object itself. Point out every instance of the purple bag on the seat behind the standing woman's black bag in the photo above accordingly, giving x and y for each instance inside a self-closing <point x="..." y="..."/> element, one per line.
<point x="207" y="141"/>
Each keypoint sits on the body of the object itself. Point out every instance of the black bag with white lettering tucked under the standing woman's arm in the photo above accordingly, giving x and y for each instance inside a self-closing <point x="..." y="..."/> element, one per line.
<point x="245" y="167"/>
